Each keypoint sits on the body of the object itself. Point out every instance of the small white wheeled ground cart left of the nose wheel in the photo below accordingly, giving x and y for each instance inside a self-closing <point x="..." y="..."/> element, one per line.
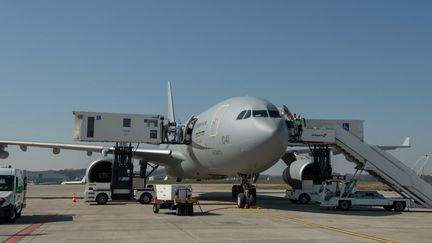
<point x="174" y="197"/>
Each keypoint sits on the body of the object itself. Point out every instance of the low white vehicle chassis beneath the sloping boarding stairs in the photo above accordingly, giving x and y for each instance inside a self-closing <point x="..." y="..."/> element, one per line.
<point x="343" y="194"/>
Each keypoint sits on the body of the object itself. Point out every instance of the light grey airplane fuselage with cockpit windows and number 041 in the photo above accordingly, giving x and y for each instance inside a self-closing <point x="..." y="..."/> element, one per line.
<point x="241" y="135"/>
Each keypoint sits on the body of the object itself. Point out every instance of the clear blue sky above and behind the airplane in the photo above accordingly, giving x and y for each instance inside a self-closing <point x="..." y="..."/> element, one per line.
<point x="369" y="60"/>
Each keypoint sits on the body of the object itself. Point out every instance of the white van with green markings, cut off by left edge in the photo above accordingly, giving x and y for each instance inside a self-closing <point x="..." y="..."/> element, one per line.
<point x="13" y="187"/>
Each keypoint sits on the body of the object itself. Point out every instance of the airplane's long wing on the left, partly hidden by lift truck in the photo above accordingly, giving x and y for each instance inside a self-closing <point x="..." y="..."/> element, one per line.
<point x="164" y="157"/>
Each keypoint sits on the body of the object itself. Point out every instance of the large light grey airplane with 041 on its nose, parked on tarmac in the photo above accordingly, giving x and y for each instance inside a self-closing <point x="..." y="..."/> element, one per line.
<point x="241" y="136"/>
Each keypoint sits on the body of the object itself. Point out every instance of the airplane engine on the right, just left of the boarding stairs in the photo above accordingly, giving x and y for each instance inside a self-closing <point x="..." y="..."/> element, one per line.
<point x="298" y="171"/>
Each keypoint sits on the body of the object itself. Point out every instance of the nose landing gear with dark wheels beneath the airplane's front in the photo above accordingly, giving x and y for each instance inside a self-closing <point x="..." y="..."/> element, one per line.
<point x="245" y="192"/>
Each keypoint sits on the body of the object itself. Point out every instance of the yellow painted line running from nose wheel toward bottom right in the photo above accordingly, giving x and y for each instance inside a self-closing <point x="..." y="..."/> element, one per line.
<point x="315" y="225"/>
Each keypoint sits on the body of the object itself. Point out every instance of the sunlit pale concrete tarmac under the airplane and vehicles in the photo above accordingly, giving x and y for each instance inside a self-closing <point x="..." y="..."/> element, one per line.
<point x="51" y="216"/>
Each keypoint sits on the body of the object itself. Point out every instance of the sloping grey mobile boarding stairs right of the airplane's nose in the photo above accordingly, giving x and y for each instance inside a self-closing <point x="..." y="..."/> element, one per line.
<point x="377" y="162"/>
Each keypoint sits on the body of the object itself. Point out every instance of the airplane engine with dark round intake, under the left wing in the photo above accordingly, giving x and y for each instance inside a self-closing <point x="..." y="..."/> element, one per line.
<point x="99" y="170"/>
